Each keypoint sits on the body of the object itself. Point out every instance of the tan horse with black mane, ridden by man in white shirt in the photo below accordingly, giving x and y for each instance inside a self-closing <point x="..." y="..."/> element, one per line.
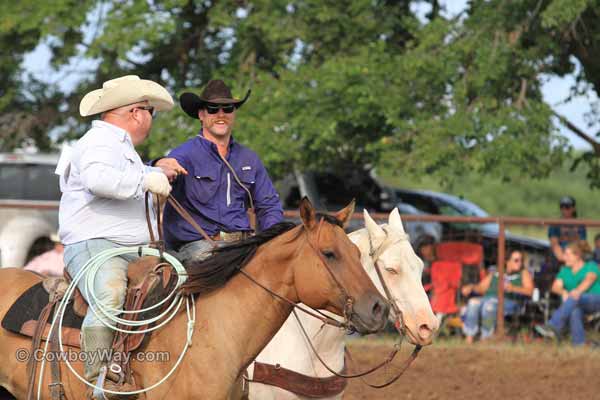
<point x="314" y="263"/>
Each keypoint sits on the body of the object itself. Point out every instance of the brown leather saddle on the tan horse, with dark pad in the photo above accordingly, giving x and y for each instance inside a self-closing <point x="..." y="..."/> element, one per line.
<point x="149" y="281"/>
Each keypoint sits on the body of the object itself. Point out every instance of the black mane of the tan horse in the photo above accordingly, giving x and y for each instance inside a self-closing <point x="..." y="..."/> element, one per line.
<point x="225" y="262"/>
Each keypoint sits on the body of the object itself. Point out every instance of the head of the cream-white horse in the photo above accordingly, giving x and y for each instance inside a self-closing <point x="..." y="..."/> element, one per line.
<point x="401" y="270"/>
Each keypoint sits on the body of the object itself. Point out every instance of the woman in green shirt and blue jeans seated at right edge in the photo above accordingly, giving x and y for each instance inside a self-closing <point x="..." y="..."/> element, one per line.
<point x="578" y="285"/>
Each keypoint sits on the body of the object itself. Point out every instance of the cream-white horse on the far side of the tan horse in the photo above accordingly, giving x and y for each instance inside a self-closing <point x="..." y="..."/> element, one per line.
<point x="401" y="270"/>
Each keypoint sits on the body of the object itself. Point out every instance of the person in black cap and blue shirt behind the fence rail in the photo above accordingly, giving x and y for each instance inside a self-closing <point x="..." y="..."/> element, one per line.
<point x="561" y="235"/>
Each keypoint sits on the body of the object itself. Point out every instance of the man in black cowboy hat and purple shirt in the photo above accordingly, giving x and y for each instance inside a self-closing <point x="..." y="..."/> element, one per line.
<point x="220" y="179"/>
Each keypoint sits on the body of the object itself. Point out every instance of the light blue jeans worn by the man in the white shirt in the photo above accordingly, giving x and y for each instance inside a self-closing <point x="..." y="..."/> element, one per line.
<point x="110" y="285"/>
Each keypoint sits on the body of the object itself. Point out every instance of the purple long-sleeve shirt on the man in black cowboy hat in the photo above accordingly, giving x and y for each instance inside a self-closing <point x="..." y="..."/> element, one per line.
<point x="213" y="197"/>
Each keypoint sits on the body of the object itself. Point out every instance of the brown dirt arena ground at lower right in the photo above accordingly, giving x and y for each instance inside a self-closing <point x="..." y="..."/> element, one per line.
<point x="484" y="371"/>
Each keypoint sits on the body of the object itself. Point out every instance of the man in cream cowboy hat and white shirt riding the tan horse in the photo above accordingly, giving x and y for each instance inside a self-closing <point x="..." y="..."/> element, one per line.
<point x="103" y="181"/>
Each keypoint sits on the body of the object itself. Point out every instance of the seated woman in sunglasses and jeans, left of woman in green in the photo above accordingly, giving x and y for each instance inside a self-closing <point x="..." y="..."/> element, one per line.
<point x="482" y="310"/>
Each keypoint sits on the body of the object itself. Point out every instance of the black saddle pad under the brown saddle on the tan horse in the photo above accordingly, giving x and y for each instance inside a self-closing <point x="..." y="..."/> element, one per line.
<point x="29" y="306"/>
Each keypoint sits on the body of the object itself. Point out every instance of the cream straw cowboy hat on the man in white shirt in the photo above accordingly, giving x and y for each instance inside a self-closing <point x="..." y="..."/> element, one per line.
<point x="122" y="91"/>
